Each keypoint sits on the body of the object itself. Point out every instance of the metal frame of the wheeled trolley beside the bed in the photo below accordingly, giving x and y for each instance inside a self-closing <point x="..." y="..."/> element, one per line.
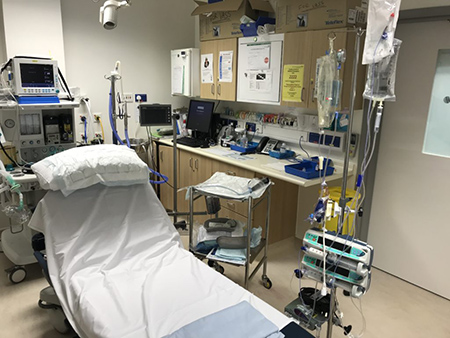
<point x="252" y="253"/>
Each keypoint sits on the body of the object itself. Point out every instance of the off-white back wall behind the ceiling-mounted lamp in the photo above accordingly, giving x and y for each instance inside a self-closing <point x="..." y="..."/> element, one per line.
<point x="142" y="41"/>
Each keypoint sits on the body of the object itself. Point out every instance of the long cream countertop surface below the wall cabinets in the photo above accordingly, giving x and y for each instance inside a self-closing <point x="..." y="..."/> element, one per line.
<point x="258" y="163"/>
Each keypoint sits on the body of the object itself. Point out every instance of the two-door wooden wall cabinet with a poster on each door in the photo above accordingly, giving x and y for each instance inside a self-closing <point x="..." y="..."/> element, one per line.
<point x="218" y="69"/>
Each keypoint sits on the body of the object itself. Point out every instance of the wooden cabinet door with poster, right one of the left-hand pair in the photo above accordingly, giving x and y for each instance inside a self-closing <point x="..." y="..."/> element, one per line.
<point x="225" y="77"/>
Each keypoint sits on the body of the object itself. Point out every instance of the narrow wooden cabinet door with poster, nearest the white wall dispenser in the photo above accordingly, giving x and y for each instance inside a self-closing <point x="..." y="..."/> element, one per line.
<point x="208" y="50"/>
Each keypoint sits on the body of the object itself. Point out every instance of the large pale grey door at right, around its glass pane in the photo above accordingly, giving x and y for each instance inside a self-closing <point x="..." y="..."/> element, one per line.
<point x="409" y="224"/>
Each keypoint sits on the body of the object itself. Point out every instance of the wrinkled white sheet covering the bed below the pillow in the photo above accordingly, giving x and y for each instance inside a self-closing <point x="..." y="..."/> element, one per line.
<point x="119" y="269"/>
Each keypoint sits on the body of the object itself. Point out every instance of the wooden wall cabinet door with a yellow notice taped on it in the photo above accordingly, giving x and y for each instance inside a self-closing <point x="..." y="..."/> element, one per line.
<point x="297" y="51"/>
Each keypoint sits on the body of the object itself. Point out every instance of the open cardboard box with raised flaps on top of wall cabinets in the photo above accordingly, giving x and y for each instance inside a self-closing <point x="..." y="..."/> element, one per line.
<point x="221" y="20"/>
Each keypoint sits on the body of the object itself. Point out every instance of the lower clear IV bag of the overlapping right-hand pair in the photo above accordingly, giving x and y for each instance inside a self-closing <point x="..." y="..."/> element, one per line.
<point x="380" y="83"/>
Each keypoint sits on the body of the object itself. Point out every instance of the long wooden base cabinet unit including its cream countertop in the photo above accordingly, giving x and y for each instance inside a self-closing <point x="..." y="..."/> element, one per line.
<point x="293" y="198"/>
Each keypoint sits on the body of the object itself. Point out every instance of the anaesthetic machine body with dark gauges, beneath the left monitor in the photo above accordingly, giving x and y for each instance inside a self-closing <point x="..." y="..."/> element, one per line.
<point x="38" y="131"/>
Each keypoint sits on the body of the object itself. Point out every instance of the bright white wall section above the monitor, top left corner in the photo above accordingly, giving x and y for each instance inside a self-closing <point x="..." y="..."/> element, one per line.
<point x="34" y="28"/>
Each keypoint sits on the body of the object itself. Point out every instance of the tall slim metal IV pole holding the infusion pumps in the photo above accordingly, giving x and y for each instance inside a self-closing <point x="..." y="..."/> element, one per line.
<point x="343" y="199"/>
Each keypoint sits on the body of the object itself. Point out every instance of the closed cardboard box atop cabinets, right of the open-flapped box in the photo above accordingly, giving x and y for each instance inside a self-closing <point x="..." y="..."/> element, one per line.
<point x="302" y="15"/>
